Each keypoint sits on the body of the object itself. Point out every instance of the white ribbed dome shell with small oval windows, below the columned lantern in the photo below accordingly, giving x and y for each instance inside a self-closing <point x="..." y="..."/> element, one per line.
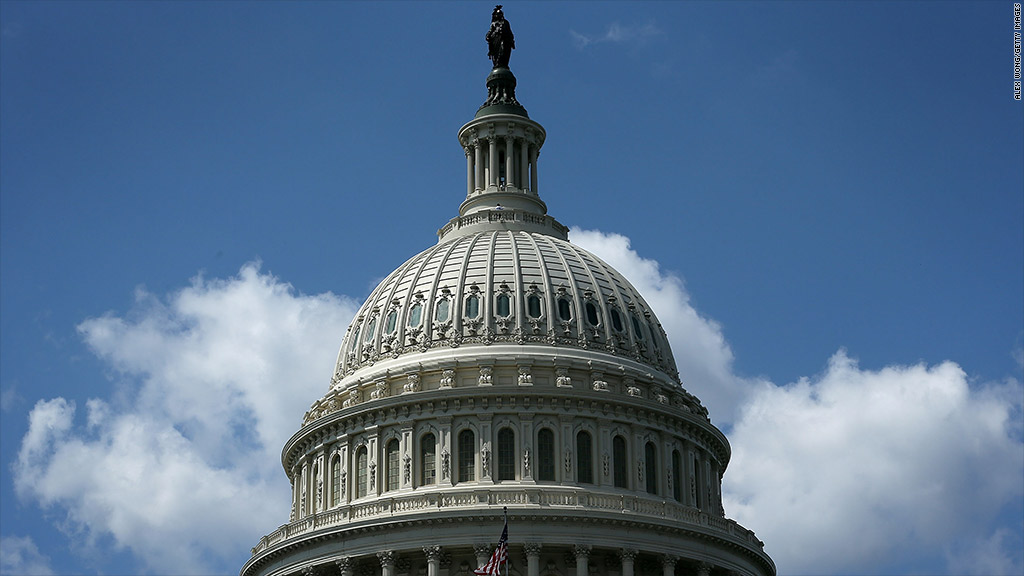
<point x="506" y="286"/>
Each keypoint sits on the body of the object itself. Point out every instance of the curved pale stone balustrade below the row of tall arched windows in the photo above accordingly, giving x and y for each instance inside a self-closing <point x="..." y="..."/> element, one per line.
<point x="523" y="499"/>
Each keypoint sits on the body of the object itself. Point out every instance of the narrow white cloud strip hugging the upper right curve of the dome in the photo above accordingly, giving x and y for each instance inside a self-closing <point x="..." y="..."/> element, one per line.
<point x="703" y="355"/>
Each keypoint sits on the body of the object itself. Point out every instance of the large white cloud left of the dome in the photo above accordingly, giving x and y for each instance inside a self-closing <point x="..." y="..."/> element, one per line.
<point x="182" y="467"/>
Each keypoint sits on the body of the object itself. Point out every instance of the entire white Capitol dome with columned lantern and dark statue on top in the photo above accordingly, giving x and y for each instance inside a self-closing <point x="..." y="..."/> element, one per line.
<point x="506" y="371"/>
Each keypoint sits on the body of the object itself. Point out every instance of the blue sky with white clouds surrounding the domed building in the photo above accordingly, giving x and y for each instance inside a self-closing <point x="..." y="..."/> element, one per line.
<point x="824" y="201"/>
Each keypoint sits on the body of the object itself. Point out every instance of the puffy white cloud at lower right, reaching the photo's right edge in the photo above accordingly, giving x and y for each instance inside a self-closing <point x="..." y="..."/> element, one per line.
<point x="861" y="472"/>
